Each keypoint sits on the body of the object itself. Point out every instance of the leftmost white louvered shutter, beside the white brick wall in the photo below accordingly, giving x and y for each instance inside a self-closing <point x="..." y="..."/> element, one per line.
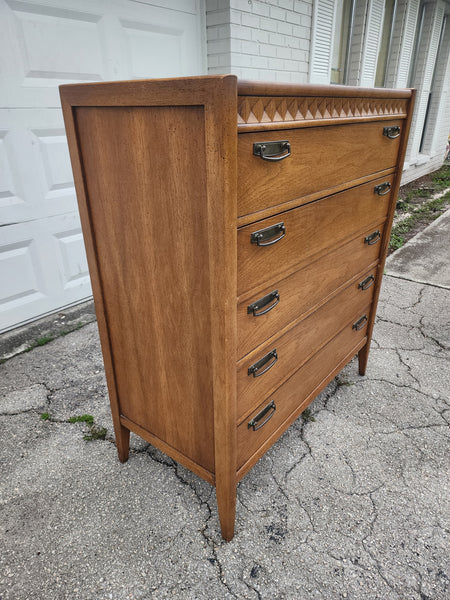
<point x="322" y="41"/>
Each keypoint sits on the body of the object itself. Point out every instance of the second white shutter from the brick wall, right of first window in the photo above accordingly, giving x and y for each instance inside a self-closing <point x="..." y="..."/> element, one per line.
<point x="374" y="28"/>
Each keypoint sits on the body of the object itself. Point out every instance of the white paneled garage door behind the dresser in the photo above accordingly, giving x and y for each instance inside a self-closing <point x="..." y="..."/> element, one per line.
<point x="42" y="45"/>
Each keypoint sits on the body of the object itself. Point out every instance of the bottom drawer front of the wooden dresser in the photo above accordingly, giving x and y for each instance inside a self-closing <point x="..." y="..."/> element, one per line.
<point x="294" y="392"/>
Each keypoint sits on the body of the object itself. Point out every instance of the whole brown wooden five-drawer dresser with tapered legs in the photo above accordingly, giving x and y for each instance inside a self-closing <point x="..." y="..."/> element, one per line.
<point x="236" y="235"/>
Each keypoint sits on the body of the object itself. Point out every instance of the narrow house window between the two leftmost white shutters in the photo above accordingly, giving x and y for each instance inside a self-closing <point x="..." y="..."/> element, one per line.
<point x="341" y="40"/>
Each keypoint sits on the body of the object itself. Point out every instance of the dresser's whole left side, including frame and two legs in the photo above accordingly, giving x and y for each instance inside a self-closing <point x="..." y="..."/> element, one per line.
<point x="124" y="193"/>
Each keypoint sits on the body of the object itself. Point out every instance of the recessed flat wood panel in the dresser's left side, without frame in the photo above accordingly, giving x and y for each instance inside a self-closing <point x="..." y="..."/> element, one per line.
<point x="146" y="193"/>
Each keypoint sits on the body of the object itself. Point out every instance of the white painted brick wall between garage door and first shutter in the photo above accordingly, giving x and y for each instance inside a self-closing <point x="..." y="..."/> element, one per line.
<point x="258" y="39"/>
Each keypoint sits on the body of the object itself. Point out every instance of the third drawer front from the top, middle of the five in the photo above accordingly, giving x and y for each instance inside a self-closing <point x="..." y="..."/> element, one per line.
<point x="293" y="296"/>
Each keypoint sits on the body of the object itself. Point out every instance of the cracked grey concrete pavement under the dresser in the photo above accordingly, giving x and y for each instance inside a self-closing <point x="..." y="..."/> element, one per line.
<point x="352" y="502"/>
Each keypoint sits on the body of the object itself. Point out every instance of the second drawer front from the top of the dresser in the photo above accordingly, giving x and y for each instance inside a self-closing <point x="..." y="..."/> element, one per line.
<point x="308" y="230"/>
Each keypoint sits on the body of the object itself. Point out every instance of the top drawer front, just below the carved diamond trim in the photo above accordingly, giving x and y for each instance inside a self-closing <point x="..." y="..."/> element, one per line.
<point x="321" y="157"/>
